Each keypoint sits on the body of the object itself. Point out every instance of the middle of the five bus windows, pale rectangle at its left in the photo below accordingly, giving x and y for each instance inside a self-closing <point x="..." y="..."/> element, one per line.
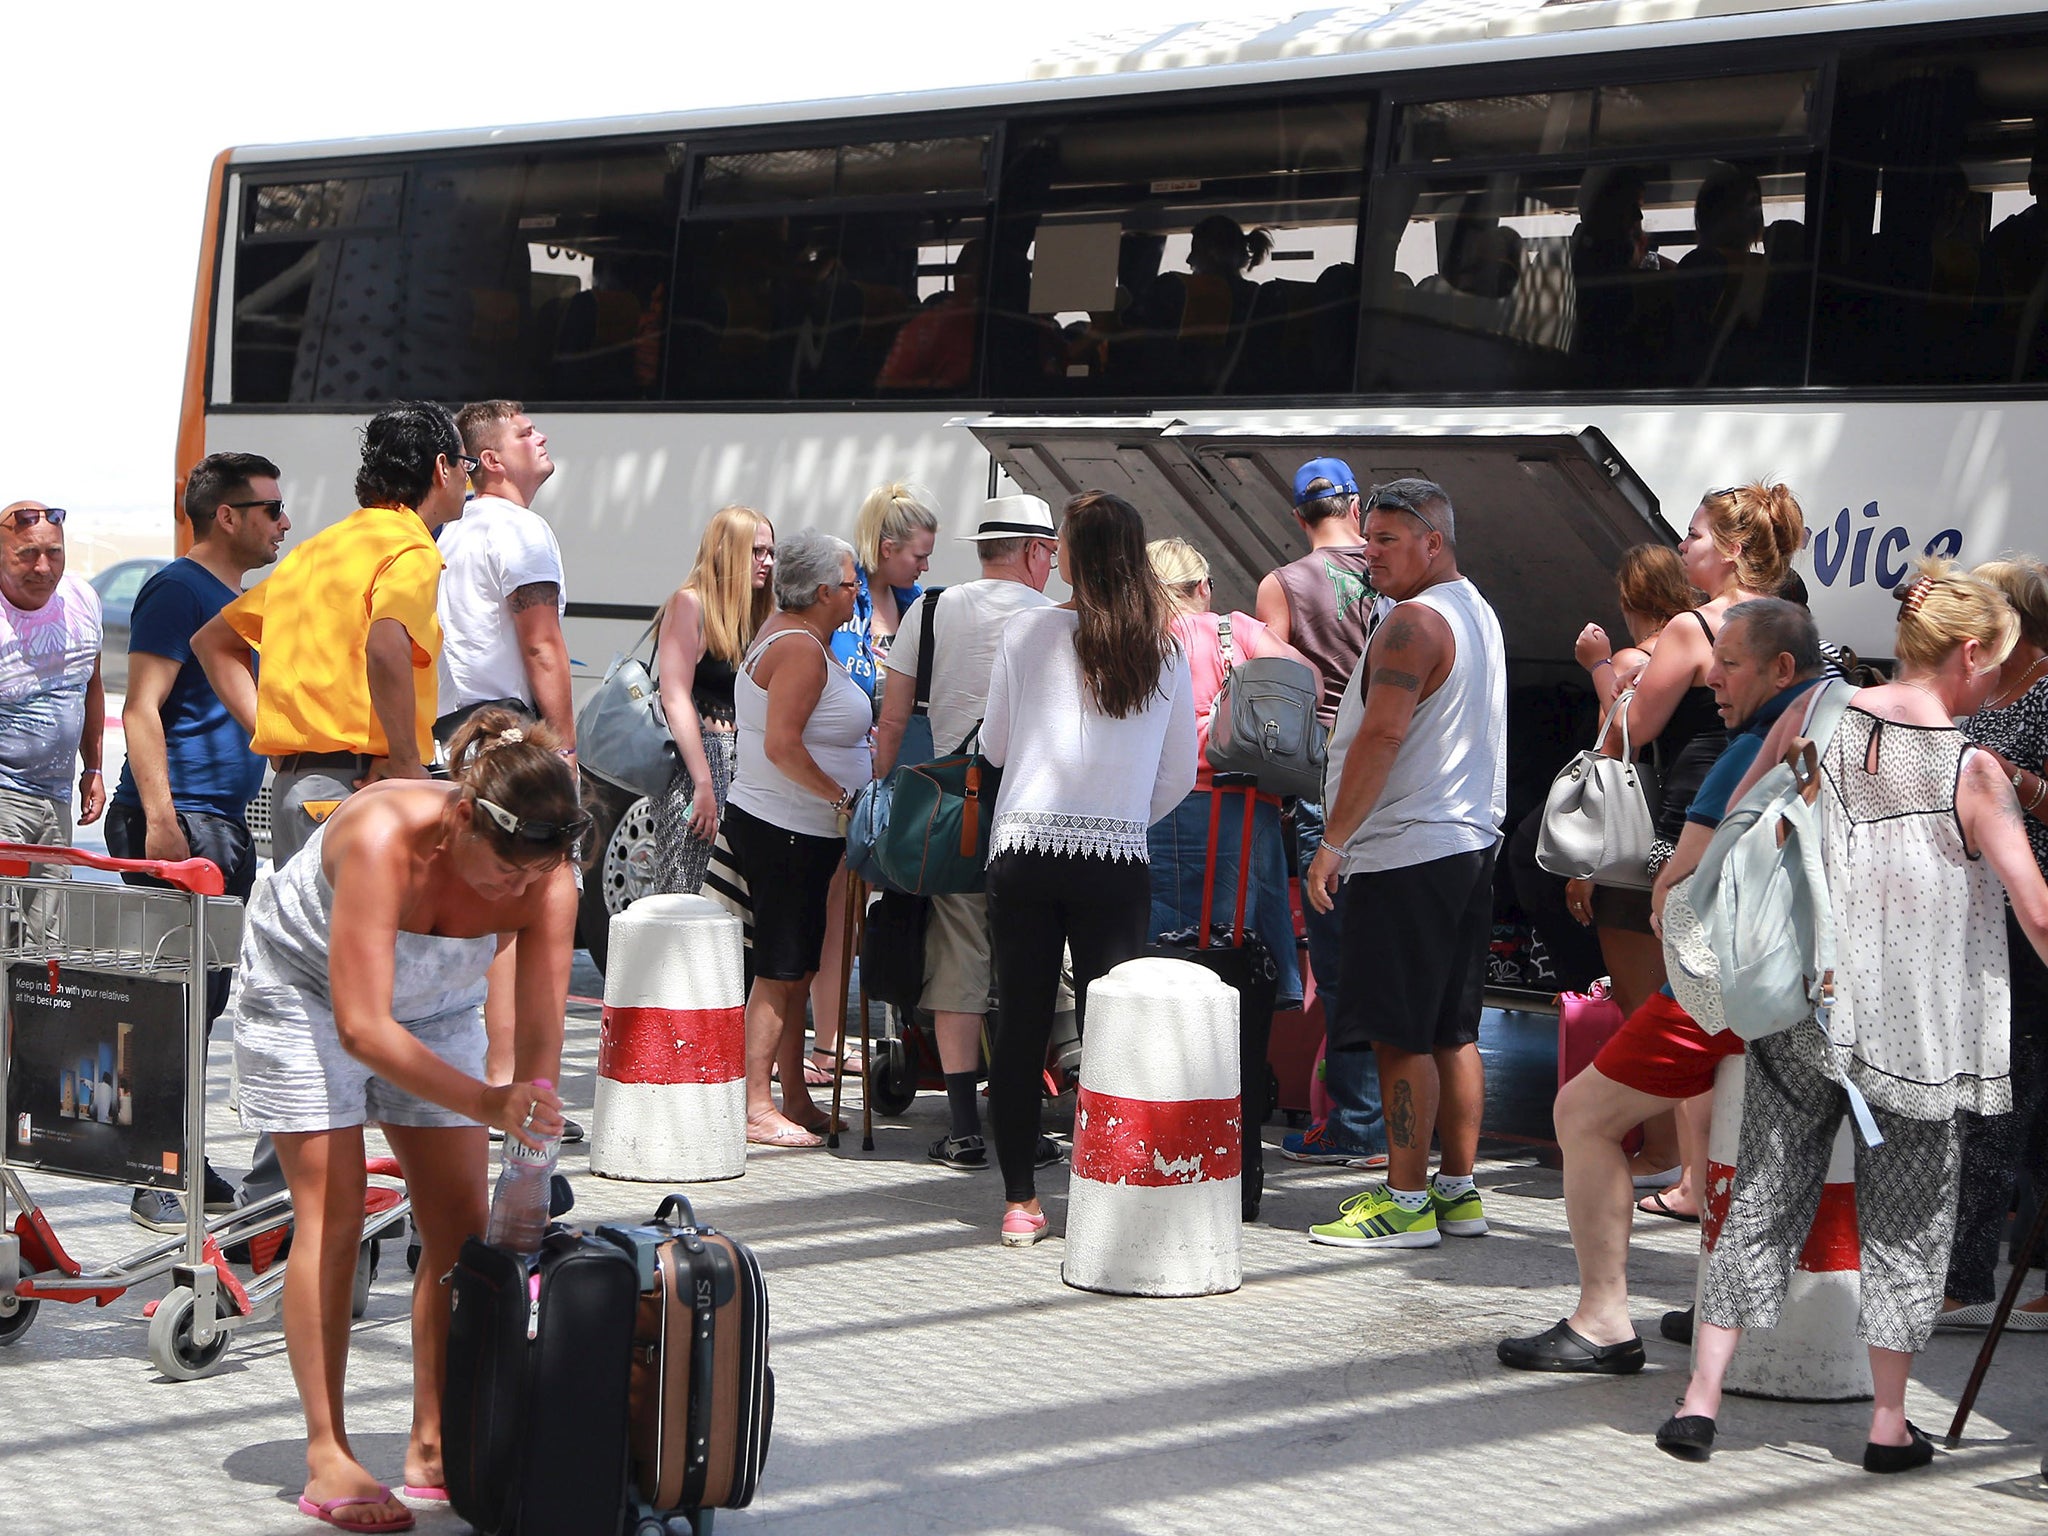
<point x="1181" y="255"/>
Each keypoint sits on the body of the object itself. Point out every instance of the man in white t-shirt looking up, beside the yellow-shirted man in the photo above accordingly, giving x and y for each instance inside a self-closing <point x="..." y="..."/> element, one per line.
<point x="501" y="609"/>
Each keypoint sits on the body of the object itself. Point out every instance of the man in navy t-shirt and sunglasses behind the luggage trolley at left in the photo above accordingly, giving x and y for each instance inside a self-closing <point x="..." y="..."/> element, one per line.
<point x="191" y="773"/>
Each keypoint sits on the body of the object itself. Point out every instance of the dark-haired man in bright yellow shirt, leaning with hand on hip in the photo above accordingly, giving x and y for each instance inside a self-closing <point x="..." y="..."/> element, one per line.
<point x="347" y="632"/>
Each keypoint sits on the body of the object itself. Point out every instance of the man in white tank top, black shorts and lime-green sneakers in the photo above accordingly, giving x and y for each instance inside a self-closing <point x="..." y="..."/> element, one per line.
<point x="1416" y="796"/>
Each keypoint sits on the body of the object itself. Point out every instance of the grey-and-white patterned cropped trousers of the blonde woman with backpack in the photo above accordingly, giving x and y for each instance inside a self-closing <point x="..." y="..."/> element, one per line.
<point x="1906" y="1199"/>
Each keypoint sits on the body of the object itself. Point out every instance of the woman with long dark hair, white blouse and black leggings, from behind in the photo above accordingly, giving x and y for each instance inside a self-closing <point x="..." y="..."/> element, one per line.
<point x="1093" y="724"/>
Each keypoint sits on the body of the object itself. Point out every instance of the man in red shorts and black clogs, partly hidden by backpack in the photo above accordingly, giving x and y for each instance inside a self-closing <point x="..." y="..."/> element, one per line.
<point x="1768" y="654"/>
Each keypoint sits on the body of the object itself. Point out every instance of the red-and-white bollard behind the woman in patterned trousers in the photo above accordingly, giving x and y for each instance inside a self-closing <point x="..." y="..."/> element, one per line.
<point x="1814" y="1355"/>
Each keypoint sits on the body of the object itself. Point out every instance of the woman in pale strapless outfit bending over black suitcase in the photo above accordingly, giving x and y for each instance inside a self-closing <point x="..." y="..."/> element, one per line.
<point x="359" y="1000"/>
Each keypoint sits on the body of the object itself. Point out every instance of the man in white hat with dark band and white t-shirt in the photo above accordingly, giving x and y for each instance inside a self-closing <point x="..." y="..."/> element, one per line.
<point x="1019" y="552"/>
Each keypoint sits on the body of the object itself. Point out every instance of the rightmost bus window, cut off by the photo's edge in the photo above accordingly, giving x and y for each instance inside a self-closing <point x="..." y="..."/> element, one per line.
<point x="1934" y="265"/>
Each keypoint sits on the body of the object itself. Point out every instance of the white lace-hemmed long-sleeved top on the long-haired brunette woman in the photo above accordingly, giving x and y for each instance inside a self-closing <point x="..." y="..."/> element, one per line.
<point x="1074" y="779"/>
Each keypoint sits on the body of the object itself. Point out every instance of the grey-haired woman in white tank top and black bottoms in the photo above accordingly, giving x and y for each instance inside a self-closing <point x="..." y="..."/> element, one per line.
<point x="804" y="751"/>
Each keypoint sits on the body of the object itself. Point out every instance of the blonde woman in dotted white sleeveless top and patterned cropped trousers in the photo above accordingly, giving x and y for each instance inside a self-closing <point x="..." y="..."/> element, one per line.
<point x="1918" y="830"/>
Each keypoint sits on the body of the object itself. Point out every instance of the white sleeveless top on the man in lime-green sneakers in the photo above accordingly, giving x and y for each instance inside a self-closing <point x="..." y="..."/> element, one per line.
<point x="1449" y="785"/>
